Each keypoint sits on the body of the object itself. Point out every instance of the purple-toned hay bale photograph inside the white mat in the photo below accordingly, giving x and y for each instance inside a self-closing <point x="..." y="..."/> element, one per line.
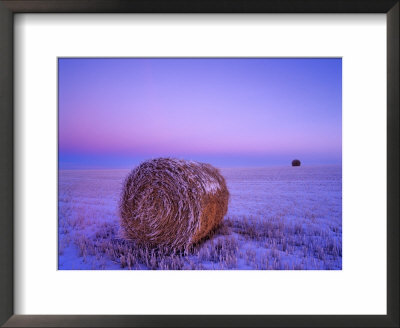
<point x="194" y="164"/>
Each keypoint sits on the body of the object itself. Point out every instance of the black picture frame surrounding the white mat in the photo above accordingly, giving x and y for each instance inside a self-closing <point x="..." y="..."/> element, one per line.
<point x="10" y="7"/>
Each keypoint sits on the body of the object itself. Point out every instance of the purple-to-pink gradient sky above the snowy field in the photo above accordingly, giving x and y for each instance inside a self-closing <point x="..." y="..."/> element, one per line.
<point x="114" y="113"/>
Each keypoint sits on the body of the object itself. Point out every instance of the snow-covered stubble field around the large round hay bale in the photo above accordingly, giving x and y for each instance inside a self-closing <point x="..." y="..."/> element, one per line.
<point x="279" y="218"/>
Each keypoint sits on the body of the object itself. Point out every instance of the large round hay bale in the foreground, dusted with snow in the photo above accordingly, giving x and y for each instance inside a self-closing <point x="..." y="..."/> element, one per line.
<point x="172" y="203"/>
